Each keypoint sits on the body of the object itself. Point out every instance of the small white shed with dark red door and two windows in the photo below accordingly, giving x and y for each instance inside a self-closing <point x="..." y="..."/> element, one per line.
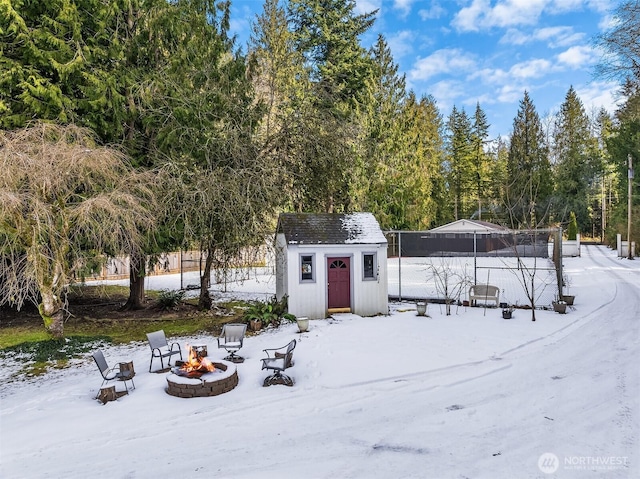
<point x="328" y="263"/>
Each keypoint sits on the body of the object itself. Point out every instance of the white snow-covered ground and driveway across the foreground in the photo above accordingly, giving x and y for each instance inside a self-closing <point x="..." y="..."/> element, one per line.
<point x="464" y="396"/>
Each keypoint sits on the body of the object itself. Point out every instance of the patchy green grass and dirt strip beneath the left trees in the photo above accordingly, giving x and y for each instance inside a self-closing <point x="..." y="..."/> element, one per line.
<point x="28" y="339"/>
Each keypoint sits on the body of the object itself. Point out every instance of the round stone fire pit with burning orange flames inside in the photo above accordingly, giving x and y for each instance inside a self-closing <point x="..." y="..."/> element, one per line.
<point x="199" y="377"/>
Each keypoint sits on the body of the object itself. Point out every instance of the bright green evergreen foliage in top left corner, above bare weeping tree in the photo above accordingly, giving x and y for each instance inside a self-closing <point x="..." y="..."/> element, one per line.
<point x="52" y="55"/>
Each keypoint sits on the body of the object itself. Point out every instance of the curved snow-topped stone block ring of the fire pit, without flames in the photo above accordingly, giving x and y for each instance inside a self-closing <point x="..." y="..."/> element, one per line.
<point x="220" y="381"/>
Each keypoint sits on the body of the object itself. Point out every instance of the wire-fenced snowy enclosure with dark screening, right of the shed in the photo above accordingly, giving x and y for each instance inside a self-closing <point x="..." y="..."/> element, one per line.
<point x="506" y="259"/>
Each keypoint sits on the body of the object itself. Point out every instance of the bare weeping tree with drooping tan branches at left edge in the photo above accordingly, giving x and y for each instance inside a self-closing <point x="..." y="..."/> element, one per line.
<point x="63" y="198"/>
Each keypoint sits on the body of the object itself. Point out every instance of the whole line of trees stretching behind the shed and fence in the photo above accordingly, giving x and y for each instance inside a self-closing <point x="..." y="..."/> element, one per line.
<point x="140" y="126"/>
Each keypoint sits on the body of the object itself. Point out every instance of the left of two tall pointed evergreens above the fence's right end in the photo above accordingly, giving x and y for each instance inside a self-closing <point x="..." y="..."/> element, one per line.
<point x="529" y="171"/>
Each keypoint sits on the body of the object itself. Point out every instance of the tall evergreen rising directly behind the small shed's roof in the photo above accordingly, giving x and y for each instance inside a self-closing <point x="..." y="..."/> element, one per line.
<point x="330" y="151"/>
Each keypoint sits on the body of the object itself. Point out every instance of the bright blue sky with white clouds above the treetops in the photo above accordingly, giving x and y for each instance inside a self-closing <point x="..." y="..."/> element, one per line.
<point x="489" y="51"/>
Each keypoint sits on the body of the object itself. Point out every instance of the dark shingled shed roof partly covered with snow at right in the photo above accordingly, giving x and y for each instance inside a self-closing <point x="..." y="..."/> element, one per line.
<point x="330" y="228"/>
